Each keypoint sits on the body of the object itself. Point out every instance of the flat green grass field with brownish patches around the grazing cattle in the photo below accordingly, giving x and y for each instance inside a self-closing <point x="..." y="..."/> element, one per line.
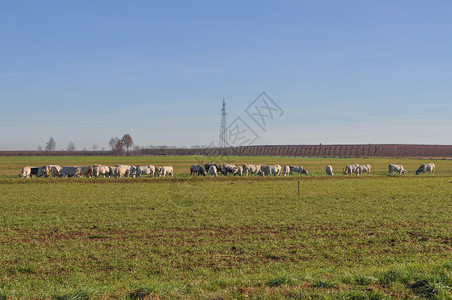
<point x="346" y="237"/>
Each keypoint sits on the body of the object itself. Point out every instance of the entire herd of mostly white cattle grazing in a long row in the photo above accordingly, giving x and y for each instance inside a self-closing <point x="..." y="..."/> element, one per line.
<point x="208" y="169"/>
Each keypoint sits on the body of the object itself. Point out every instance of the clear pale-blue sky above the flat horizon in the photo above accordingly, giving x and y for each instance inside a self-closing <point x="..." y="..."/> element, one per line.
<point x="340" y="72"/>
